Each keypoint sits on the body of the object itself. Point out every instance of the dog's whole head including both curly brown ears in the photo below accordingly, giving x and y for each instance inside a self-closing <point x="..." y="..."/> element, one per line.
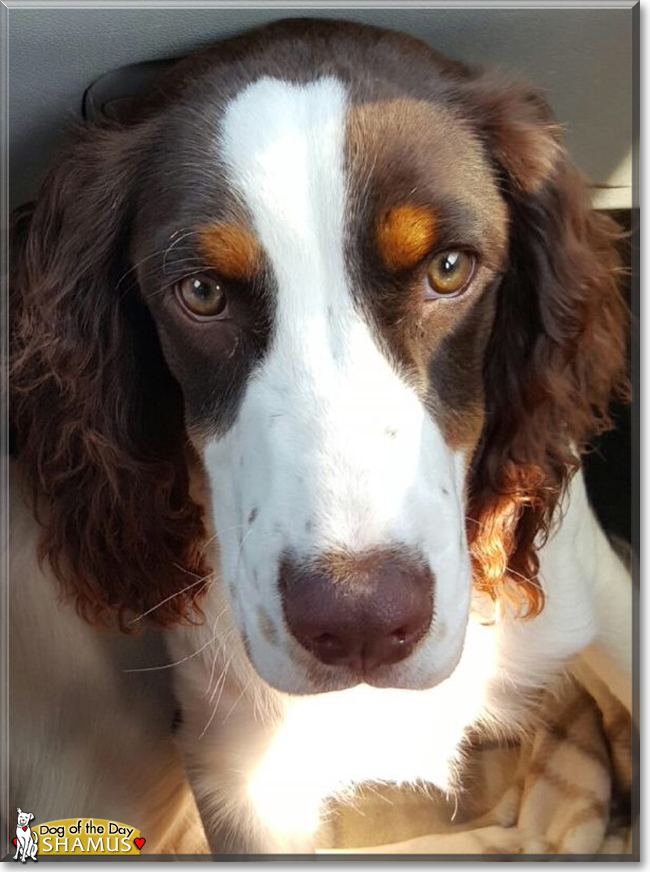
<point x="362" y="286"/>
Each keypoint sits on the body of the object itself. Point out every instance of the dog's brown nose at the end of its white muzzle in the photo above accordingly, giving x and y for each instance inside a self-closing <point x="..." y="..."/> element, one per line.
<point x="359" y="611"/>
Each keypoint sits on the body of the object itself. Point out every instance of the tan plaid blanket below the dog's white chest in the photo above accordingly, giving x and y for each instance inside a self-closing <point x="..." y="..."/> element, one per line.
<point x="563" y="789"/>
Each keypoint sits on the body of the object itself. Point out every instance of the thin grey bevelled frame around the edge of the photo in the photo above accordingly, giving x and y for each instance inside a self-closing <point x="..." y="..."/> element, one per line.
<point x="637" y="363"/>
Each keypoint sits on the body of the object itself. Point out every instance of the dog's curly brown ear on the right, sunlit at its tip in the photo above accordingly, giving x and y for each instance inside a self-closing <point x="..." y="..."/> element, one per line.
<point x="557" y="353"/>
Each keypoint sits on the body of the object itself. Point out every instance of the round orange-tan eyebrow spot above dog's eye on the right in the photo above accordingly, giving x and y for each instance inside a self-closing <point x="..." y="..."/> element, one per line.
<point x="404" y="235"/>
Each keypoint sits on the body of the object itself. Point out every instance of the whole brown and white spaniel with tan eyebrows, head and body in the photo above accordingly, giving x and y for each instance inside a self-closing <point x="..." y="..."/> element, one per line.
<point x="305" y="357"/>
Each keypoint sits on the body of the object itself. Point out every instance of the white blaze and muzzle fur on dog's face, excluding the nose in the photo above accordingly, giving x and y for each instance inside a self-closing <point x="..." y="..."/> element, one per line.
<point x="328" y="435"/>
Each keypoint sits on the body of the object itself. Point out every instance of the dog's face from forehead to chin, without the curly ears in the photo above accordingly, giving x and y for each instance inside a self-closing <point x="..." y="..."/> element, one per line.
<point x="324" y="288"/>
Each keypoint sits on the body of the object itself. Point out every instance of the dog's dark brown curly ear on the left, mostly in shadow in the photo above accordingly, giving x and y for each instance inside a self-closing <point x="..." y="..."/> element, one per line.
<point x="97" y="416"/>
